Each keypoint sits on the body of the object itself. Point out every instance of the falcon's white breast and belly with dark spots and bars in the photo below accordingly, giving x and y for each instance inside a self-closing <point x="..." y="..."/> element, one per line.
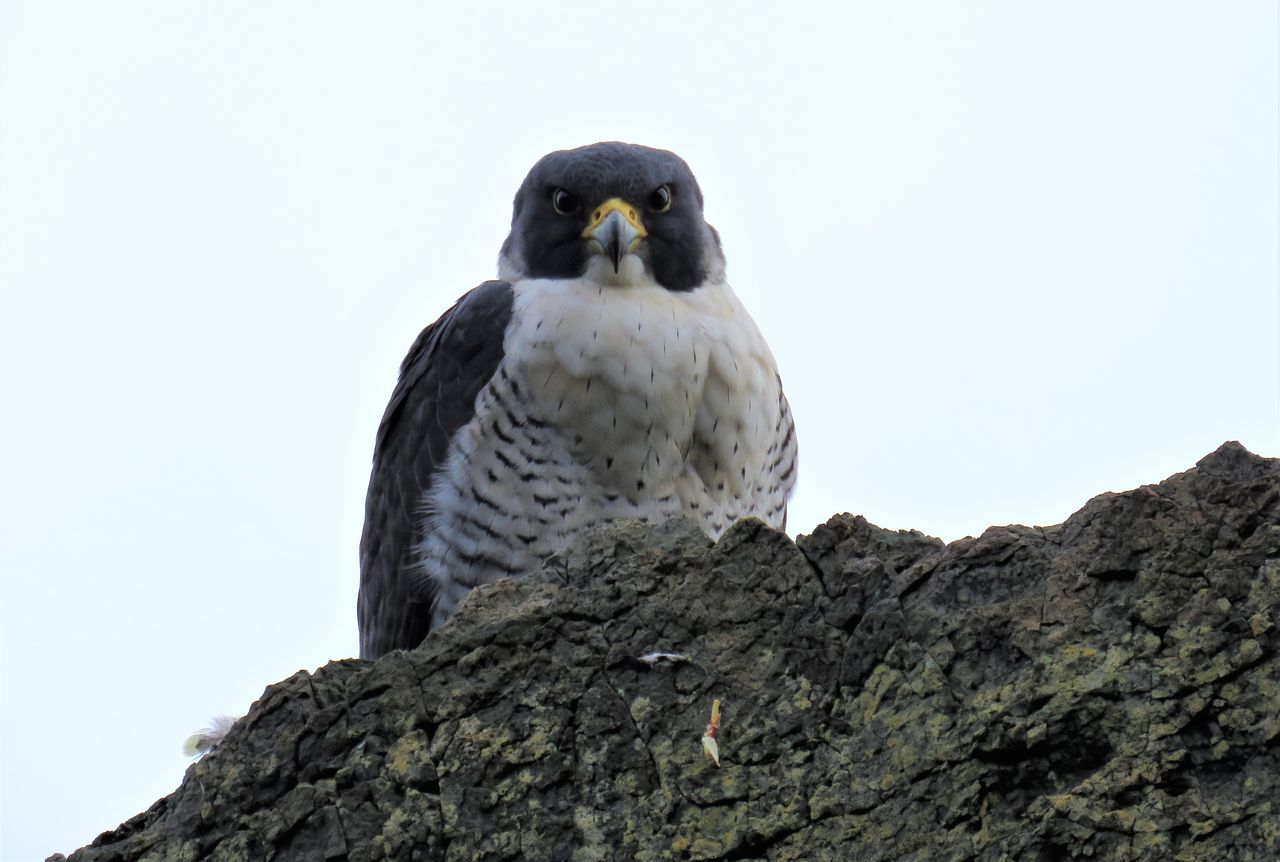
<point x="610" y="403"/>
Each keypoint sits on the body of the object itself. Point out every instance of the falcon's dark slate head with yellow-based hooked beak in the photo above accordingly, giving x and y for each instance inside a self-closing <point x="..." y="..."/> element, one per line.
<point x="619" y="213"/>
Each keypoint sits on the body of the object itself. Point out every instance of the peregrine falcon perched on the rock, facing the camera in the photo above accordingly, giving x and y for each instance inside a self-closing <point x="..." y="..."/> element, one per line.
<point x="609" y="373"/>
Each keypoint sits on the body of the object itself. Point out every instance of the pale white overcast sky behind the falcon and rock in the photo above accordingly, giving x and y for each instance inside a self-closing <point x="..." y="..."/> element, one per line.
<point x="1008" y="256"/>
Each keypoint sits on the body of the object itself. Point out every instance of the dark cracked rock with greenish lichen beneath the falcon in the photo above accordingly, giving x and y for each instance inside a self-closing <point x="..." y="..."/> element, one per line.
<point x="1108" y="688"/>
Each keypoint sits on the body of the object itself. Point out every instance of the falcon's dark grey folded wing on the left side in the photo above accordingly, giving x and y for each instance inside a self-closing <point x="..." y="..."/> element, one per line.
<point x="440" y="380"/>
